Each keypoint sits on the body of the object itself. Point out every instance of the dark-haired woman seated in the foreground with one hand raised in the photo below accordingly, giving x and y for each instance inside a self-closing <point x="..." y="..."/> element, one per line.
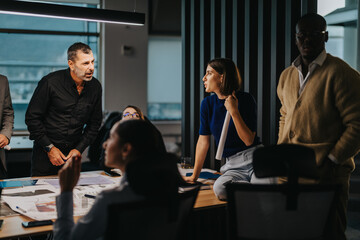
<point x="133" y="148"/>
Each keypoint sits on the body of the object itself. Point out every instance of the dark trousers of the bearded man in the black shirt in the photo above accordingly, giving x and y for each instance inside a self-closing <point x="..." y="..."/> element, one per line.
<point x="40" y="162"/>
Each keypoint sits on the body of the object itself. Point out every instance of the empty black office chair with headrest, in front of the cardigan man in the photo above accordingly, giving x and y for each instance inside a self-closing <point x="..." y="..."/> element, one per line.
<point x="284" y="211"/>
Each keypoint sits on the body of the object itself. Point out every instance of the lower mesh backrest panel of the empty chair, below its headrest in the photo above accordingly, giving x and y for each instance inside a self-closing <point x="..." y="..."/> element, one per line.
<point x="260" y="212"/>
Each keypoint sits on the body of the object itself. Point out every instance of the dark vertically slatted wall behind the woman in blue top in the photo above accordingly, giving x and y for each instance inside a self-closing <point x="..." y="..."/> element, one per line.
<point x="258" y="35"/>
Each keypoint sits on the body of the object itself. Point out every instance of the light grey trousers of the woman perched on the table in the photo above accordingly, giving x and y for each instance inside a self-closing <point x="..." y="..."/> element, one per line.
<point x="238" y="168"/>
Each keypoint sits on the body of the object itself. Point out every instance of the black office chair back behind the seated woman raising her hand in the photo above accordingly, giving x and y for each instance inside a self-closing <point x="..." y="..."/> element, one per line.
<point x="150" y="219"/>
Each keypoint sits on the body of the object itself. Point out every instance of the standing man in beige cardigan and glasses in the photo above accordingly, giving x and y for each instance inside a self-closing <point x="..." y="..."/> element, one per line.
<point x="320" y="98"/>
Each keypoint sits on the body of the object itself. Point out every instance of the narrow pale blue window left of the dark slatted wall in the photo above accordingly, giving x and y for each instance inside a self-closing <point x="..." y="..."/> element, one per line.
<point x="164" y="78"/>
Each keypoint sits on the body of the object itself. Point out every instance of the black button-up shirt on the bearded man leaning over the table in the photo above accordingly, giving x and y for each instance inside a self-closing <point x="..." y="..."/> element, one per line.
<point x="58" y="114"/>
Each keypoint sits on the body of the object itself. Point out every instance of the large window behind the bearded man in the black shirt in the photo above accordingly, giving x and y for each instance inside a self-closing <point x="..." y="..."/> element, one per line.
<point x="32" y="47"/>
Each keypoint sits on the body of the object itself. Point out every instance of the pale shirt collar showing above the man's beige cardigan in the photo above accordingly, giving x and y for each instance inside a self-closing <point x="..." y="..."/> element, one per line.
<point x="312" y="66"/>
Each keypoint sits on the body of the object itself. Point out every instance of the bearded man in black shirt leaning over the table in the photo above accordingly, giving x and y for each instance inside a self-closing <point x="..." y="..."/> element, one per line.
<point x="64" y="113"/>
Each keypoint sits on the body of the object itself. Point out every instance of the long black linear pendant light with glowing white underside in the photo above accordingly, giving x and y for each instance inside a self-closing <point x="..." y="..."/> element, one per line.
<point x="71" y="12"/>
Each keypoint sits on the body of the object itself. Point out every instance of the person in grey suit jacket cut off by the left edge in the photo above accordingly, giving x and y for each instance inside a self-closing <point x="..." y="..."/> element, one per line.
<point x="6" y="121"/>
